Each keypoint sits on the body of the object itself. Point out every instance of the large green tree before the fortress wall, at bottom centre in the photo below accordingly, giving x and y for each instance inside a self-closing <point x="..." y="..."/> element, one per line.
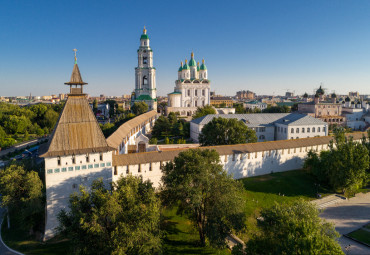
<point x="196" y="182"/>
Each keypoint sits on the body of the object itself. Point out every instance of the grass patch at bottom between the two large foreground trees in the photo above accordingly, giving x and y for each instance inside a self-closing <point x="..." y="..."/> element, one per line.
<point x="182" y="237"/>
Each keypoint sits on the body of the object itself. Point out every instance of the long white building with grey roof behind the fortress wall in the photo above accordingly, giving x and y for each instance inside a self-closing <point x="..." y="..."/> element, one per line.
<point x="269" y="126"/>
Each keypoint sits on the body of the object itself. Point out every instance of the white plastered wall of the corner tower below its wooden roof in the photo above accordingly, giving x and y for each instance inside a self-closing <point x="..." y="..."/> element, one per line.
<point x="60" y="185"/>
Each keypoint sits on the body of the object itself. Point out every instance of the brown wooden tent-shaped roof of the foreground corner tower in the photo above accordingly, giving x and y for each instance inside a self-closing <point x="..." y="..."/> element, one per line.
<point x="77" y="130"/>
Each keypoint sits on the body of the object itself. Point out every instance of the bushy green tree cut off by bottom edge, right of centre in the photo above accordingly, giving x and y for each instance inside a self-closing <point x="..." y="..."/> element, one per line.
<point x="293" y="229"/>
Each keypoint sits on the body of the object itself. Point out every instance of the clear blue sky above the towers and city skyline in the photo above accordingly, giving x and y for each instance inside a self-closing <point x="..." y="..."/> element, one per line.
<point x="264" y="46"/>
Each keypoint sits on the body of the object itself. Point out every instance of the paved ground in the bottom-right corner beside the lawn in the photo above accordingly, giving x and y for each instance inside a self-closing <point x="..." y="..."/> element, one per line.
<point x="349" y="216"/>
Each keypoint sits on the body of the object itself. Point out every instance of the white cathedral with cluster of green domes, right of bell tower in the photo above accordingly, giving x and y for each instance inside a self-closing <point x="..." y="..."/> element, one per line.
<point x="192" y="88"/>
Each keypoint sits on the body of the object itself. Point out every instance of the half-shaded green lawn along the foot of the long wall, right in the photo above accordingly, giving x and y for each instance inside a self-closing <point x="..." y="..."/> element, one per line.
<point x="263" y="191"/>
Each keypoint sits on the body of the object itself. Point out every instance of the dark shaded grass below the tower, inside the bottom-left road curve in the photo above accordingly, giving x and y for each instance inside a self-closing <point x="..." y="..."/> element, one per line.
<point x="20" y="241"/>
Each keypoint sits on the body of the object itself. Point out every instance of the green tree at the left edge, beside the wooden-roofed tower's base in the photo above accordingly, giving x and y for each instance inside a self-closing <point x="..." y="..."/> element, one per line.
<point x="21" y="192"/>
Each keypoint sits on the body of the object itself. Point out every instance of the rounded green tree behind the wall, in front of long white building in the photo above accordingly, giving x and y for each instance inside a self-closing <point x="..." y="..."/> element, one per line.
<point x="222" y="131"/>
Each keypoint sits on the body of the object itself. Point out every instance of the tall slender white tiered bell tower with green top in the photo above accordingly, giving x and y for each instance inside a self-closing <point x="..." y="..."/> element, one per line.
<point x="145" y="85"/>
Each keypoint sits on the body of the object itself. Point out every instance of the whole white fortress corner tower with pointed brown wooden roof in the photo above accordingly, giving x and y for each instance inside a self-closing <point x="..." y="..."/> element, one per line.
<point x="77" y="153"/>
